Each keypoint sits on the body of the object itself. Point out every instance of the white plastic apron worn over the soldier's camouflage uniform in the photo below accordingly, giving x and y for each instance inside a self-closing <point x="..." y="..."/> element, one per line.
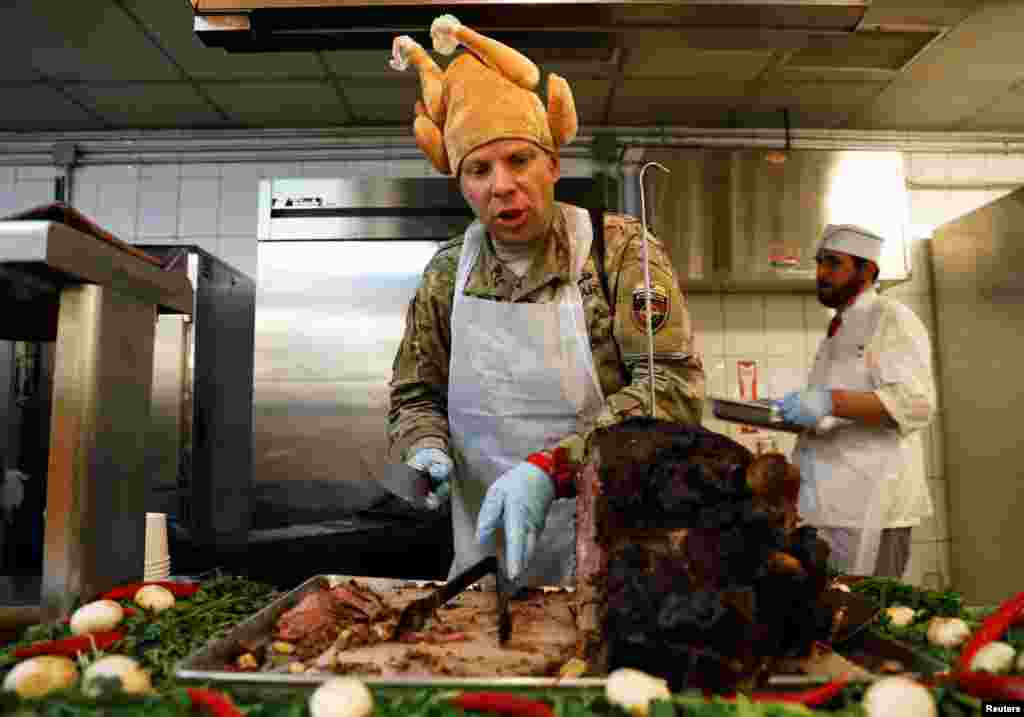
<point x="522" y="378"/>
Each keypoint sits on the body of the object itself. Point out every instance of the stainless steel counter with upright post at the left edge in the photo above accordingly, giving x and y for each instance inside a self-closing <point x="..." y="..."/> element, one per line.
<point x="99" y="302"/>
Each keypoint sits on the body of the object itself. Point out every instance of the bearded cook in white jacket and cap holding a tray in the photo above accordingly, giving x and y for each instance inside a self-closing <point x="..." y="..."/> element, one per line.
<point x="870" y="392"/>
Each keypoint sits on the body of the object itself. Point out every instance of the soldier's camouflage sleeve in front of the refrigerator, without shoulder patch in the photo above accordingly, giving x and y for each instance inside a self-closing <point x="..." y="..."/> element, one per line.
<point x="418" y="414"/>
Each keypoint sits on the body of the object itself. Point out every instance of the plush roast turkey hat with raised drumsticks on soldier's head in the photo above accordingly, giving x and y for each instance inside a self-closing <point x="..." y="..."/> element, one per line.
<point x="484" y="96"/>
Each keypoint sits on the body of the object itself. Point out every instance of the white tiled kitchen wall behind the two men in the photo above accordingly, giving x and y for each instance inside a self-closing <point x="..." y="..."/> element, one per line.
<point x="215" y="206"/>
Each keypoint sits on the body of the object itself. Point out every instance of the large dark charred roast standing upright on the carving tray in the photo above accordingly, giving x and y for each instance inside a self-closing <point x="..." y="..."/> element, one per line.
<point x="692" y="563"/>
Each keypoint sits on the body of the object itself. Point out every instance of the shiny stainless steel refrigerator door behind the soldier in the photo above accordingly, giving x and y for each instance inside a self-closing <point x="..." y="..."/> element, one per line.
<point x="330" y="317"/>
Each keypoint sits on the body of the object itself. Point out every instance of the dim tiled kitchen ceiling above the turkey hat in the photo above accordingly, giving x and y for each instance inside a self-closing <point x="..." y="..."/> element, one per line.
<point x="112" y="58"/>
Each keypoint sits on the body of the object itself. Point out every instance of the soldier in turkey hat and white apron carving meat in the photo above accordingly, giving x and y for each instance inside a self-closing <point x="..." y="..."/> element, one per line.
<point x="523" y="339"/>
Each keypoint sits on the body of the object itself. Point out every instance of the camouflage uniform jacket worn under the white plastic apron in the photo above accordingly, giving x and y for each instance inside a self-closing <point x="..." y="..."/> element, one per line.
<point x="419" y="387"/>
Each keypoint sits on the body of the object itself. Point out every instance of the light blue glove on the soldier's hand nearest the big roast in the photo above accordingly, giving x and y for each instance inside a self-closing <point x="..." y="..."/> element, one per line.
<point x="523" y="497"/>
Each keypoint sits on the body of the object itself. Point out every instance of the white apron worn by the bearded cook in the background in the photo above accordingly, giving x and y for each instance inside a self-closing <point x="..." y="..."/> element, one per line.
<point x="850" y="472"/>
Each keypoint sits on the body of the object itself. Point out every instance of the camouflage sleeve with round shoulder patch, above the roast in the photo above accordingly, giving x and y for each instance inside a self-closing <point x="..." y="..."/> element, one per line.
<point x="679" y="377"/>
